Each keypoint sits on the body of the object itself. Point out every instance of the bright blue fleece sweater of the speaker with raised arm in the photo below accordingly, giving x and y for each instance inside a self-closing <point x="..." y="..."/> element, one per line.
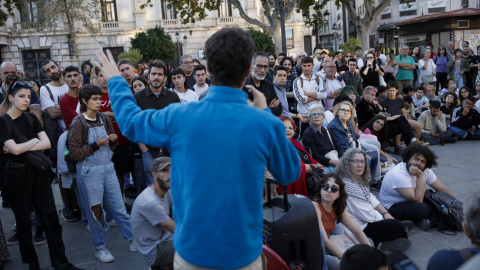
<point x="220" y="147"/>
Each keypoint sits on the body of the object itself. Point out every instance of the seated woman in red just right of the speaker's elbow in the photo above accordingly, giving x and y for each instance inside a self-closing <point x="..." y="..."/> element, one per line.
<point x="307" y="162"/>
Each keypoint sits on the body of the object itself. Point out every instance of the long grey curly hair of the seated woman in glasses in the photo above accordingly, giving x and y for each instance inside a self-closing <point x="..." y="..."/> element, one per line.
<point x="343" y="168"/>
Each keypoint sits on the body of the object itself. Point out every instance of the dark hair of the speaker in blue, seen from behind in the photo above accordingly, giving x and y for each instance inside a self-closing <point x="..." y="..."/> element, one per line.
<point x="229" y="55"/>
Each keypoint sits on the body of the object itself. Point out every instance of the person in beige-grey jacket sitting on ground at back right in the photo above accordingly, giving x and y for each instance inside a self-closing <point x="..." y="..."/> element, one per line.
<point x="434" y="125"/>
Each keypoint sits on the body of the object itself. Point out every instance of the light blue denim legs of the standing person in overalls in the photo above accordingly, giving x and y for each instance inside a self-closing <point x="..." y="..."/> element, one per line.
<point x="98" y="184"/>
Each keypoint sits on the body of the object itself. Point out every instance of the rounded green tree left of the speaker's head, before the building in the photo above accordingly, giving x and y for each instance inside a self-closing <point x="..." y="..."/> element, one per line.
<point x="154" y="44"/>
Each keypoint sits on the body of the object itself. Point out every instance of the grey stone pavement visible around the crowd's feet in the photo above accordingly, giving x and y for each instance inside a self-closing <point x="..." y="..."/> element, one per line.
<point x="458" y="168"/>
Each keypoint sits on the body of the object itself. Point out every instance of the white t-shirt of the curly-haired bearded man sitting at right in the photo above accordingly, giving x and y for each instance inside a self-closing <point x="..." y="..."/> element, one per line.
<point x="399" y="177"/>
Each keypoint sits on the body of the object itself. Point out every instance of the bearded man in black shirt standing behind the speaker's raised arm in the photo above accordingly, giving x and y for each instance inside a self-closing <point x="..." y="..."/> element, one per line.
<point x="154" y="96"/>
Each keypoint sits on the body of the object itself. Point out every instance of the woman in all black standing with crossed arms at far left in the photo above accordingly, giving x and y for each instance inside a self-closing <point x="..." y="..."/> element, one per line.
<point x="26" y="185"/>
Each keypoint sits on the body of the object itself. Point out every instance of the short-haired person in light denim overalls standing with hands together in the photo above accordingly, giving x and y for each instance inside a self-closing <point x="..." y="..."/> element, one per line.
<point x="98" y="184"/>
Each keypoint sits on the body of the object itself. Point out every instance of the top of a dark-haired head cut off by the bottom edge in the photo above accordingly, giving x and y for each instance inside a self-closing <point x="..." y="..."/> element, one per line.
<point x="363" y="257"/>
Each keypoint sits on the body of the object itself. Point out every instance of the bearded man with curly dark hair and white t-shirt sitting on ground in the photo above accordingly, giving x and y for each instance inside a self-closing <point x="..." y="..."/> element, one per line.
<point x="403" y="187"/>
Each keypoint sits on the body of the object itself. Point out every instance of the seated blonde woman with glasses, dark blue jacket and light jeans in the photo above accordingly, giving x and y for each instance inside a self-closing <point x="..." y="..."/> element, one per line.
<point x="342" y="129"/>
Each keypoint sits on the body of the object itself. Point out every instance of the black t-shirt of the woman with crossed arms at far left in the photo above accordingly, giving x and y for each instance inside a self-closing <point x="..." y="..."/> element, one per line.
<point x="24" y="127"/>
